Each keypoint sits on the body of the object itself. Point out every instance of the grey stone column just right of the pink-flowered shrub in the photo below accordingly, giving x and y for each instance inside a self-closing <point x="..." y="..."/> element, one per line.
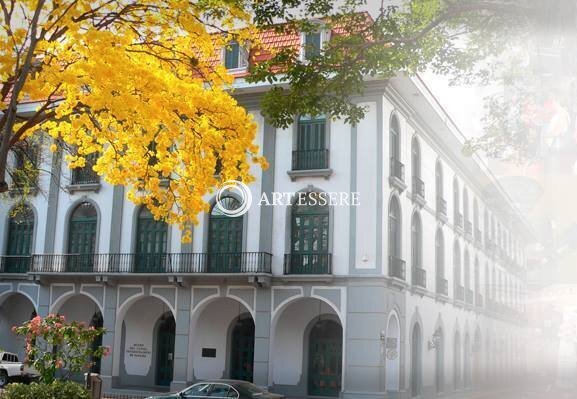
<point x="109" y="323"/>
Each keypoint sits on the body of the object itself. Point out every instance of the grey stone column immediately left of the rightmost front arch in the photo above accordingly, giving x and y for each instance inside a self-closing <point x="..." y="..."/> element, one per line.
<point x="262" y="336"/>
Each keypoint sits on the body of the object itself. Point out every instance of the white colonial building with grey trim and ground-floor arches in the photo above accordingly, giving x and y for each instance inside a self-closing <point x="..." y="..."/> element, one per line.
<point x="417" y="291"/>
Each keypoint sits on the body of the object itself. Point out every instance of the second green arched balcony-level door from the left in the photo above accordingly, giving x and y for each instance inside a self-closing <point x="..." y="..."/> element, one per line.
<point x="82" y="239"/>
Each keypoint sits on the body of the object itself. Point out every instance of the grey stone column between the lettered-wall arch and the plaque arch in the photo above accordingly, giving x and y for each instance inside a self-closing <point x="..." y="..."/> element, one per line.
<point x="181" y="339"/>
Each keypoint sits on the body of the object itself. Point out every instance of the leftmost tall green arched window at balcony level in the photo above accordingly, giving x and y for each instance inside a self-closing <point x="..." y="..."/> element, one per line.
<point x="19" y="245"/>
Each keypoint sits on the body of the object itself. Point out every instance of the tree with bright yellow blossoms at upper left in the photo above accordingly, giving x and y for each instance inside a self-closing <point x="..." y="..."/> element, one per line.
<point x="135" y="83"/>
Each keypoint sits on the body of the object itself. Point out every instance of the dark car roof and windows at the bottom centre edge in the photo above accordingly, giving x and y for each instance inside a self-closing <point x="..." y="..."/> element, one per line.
<point x="234" y="389"/>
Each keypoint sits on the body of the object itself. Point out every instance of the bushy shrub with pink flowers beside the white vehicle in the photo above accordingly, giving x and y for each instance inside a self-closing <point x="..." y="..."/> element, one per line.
<point x="53" y="344"/>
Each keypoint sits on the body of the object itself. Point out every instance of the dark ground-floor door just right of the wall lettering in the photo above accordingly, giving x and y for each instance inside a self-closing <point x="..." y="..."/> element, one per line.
<point x="165" y="350"/>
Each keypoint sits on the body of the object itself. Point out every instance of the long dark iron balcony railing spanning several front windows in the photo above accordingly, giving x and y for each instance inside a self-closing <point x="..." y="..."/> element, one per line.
<point x="237" y="262"/>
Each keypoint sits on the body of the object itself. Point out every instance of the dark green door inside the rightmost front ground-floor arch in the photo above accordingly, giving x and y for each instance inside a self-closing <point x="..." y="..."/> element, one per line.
<point x="325" y="359"/>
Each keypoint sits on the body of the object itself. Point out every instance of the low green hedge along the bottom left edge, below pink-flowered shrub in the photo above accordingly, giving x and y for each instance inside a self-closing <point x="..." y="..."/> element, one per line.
<point x="54" y="390"/>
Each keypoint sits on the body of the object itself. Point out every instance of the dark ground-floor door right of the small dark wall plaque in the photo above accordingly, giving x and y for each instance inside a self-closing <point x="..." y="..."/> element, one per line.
<point x="242" y="350"/>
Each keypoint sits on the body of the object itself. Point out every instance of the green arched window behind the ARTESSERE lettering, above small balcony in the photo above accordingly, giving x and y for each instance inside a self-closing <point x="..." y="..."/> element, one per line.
<point x="309" y="236"/>
